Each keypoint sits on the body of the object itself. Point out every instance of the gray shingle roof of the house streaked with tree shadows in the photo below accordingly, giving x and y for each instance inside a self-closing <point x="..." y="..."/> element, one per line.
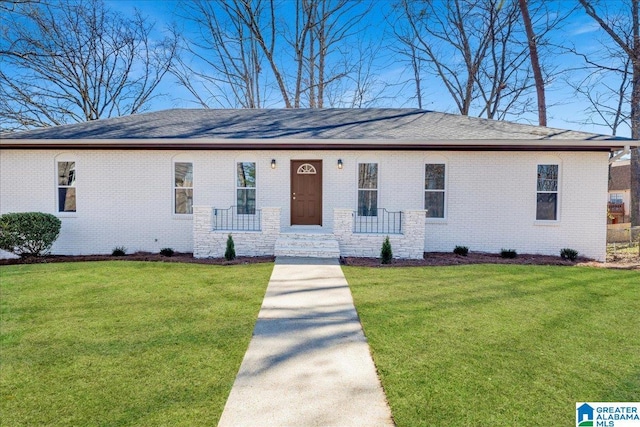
<point x="328" y="124"/>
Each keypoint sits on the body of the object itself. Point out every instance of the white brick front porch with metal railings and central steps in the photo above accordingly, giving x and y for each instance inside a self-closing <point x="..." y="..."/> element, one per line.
<point x="261" y="234"/>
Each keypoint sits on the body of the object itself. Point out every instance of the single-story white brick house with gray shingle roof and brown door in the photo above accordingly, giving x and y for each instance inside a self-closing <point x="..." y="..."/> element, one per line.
<point x="325" y="182"/>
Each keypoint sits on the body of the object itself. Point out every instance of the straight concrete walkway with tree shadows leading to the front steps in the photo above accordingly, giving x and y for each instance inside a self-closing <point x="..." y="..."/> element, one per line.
<point x="308" y="363"/>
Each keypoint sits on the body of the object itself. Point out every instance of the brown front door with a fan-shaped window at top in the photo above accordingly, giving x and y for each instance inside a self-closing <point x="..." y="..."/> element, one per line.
<point x="306" y="192"/>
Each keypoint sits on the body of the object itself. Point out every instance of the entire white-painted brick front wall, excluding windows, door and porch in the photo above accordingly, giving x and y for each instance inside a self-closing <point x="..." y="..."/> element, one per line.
<point x="125" y="198"/>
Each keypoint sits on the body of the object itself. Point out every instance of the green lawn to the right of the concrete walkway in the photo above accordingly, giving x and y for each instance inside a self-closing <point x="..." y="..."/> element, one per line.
<point x="500" y="345"/>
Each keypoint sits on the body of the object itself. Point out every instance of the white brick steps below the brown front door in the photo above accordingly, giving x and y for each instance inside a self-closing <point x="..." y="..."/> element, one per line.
<point x="309" y="246"/>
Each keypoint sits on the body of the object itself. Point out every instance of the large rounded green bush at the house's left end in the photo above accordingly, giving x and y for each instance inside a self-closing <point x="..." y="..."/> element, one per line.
<point x="28" y="233"/>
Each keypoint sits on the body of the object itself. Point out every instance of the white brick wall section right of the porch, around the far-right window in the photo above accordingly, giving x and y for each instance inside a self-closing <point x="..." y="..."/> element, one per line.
<point x="492" y="204"/>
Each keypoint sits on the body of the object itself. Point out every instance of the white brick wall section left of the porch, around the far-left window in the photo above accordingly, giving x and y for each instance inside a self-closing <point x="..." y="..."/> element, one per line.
<point x="124" y="198"/>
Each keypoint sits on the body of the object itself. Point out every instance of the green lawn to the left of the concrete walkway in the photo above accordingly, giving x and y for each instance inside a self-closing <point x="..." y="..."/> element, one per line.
<point x="123" y="343"/>
